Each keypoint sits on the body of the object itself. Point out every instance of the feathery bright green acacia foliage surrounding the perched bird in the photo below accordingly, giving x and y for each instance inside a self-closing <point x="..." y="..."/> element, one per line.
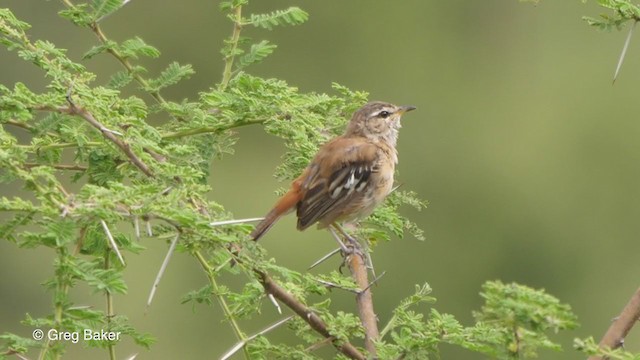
<point x="143" y="160"/>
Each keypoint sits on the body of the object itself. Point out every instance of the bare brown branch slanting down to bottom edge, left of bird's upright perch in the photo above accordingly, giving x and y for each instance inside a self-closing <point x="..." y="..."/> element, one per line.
<point x="306" y="314"/>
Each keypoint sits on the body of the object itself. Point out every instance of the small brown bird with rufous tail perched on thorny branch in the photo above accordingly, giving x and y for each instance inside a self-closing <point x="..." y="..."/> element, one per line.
<point x="349" y="176"/>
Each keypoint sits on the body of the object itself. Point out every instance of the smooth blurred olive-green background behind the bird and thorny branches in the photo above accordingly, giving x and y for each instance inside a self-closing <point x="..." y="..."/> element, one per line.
<point x="526" y="152"/>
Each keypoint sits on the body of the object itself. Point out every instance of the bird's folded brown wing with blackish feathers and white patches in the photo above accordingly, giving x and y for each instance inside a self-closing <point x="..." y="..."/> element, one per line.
<point x="337" y="175"/>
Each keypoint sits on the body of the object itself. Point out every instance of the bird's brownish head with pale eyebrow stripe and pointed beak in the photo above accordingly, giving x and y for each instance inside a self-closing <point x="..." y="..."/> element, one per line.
<point x="378" y="121"/>
